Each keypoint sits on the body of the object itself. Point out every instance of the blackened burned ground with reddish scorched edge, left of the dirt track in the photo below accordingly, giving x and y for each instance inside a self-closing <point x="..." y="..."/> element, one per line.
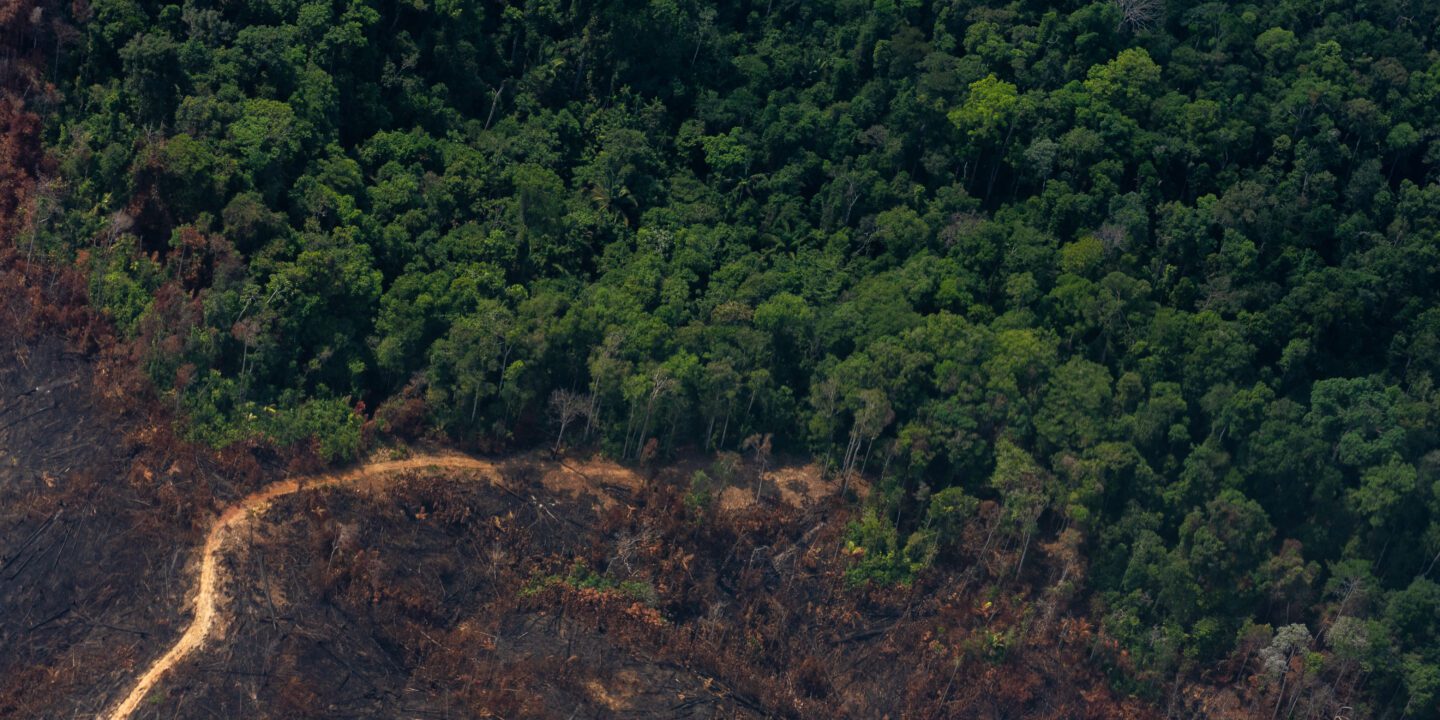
<point x="102" y="505"/>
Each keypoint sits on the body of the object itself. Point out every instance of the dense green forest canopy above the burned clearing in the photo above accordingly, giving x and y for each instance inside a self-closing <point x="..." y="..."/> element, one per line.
<point x="1158" y="279"/>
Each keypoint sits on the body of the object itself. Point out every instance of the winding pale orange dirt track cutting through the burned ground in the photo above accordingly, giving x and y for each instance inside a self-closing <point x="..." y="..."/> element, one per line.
<point x="208" y="594"/>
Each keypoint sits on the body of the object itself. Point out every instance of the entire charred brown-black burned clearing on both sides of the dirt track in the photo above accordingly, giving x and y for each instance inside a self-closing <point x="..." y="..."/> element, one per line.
<point x="575" y="590"/>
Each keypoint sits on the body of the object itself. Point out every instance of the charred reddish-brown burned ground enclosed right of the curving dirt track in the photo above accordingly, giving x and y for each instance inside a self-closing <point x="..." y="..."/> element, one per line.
<point x="443" y="597"/>
